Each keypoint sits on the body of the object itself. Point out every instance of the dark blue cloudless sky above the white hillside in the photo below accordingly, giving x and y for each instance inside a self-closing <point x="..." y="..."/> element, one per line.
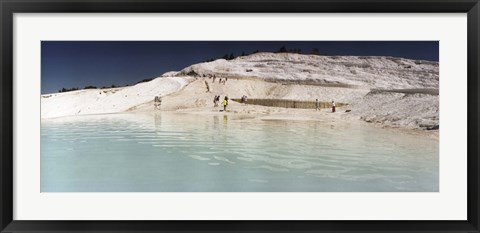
<point x="67" y="64"/>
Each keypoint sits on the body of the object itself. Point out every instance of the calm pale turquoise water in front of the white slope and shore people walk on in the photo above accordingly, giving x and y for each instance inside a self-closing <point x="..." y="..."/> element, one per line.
<point x="185" y="152"/>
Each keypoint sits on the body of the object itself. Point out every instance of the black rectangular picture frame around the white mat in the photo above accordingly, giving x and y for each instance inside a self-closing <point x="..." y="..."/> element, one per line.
<point x="9" y="7"/>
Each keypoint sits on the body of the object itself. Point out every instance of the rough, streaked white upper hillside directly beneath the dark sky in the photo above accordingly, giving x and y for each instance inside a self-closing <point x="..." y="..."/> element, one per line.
<point x="353" y="71"/>
